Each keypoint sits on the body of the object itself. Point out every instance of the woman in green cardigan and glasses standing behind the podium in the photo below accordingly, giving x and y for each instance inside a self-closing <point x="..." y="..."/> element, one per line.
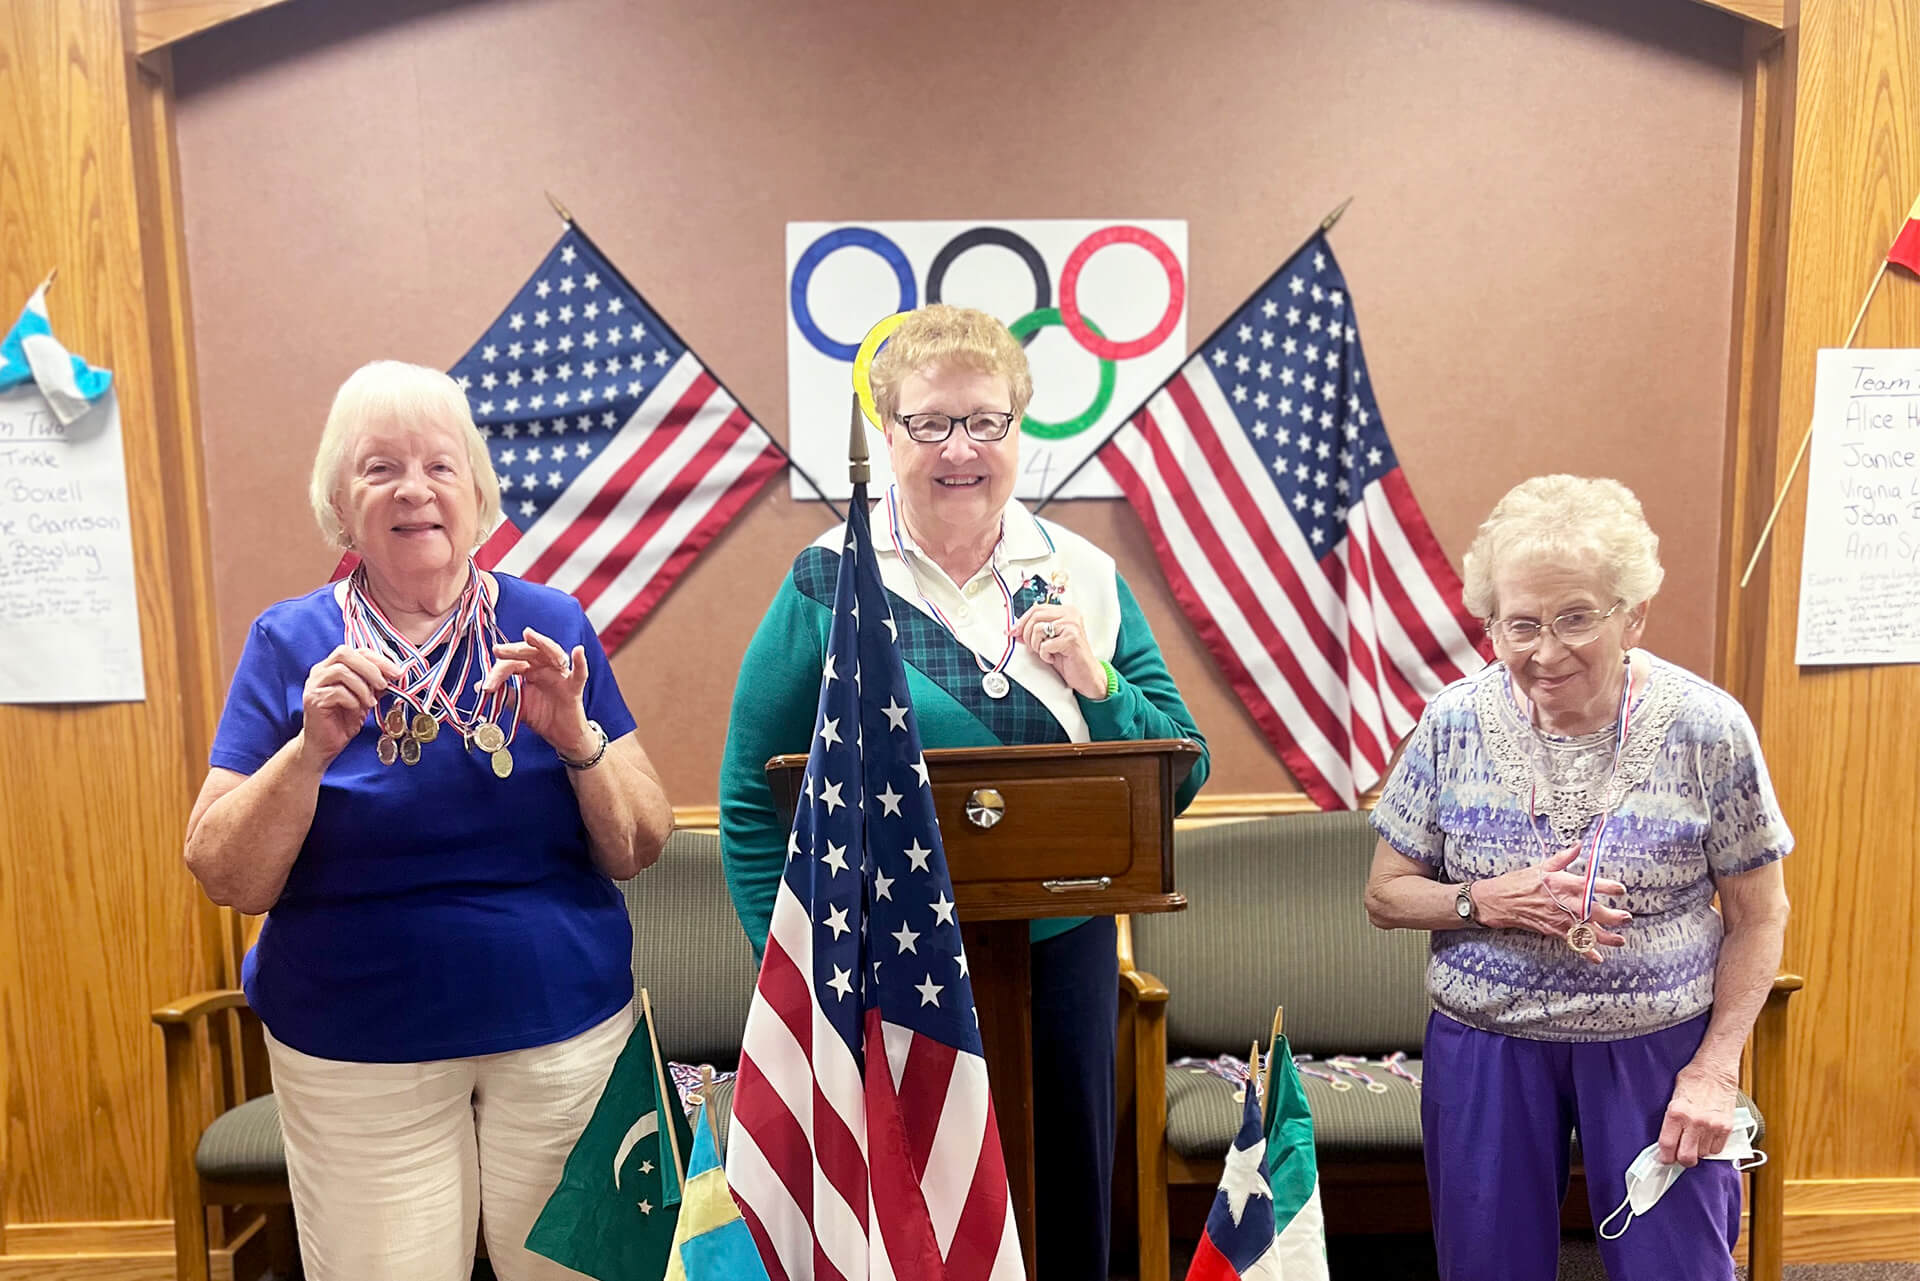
<point x="990" y="662"/>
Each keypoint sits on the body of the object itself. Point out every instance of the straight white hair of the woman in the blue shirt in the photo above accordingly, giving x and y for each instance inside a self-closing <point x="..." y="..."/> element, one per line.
<point x="412" y="397"/>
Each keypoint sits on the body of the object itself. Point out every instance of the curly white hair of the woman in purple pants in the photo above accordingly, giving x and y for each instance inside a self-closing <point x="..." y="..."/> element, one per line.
<point x="1575" y="523"/>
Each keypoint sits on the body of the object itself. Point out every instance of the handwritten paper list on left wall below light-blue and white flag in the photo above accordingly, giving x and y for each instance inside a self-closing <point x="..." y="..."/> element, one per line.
<point x="70" y="627"/>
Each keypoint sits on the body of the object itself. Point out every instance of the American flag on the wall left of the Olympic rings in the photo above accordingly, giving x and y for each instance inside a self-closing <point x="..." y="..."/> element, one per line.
<point x="619" y="454"/>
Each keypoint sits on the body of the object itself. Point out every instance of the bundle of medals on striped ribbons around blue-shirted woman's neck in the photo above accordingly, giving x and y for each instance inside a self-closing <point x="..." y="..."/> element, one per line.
<point x="421" y="698"/>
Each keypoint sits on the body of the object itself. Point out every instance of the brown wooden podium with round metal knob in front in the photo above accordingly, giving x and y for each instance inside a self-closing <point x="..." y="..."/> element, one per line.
<point x="1030" y="833"/>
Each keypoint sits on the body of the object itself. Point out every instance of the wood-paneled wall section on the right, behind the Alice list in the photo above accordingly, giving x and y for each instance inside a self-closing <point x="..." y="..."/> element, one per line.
<point x="1831" y="170"/>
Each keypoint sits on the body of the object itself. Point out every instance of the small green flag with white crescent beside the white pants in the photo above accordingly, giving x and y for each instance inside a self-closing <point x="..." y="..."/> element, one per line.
<point x="619" y="1197"/>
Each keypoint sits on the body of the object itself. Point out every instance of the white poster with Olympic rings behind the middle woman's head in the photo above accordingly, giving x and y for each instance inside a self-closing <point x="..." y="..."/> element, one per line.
<point x="1101" y="306"/>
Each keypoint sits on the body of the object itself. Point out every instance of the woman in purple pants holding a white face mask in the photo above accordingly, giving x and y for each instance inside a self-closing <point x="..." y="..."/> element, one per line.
<point x="1562" y="823"/>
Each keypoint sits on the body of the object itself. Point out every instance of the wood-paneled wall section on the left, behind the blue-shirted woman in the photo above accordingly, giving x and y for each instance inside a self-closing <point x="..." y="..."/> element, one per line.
<point x="99" y="921"/>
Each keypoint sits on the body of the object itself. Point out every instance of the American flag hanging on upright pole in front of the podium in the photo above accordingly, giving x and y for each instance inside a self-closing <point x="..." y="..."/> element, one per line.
<point x="863" y="1142"/>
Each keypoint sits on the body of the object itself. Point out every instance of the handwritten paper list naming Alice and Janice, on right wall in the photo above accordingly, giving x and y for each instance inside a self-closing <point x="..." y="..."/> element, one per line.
<point x="1861" y="564"/>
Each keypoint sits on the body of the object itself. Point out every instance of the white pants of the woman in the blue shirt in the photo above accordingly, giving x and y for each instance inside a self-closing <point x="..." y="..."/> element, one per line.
<point x="393" y="1165"/>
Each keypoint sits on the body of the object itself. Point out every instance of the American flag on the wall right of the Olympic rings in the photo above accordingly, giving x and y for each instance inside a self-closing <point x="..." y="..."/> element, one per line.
<point x="1291" y="537"/>
